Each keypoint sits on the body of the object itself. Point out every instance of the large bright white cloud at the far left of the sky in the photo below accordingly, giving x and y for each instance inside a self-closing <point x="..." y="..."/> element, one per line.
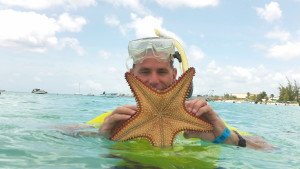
<point x="37" y="32"/>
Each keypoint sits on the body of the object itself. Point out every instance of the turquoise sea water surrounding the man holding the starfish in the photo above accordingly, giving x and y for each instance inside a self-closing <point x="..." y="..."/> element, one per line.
<point x="28" y="139"/>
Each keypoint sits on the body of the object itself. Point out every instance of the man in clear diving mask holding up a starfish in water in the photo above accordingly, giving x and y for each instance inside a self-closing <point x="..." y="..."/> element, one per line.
<point x="153" y="65"/>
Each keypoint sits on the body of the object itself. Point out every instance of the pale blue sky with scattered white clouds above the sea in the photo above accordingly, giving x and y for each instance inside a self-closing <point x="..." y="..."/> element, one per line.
<point x="62" y="46"/>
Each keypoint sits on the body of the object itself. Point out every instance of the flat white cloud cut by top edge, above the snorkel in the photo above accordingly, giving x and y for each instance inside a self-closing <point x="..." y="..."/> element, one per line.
<point x="187" y="3"/>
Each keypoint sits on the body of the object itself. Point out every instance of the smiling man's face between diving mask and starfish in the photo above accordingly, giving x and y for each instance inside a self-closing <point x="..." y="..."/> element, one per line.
<point x="158" y="75"/>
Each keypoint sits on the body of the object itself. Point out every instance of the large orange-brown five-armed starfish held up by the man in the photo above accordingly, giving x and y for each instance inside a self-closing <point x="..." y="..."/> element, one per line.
<point x="161" y="115"/>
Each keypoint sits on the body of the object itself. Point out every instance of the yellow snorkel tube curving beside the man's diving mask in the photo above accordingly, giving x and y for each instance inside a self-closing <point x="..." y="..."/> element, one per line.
<point x="184" y="65"/>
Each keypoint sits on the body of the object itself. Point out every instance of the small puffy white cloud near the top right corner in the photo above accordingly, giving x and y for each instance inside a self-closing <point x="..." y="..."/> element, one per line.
<point x="270" y="13"/>
